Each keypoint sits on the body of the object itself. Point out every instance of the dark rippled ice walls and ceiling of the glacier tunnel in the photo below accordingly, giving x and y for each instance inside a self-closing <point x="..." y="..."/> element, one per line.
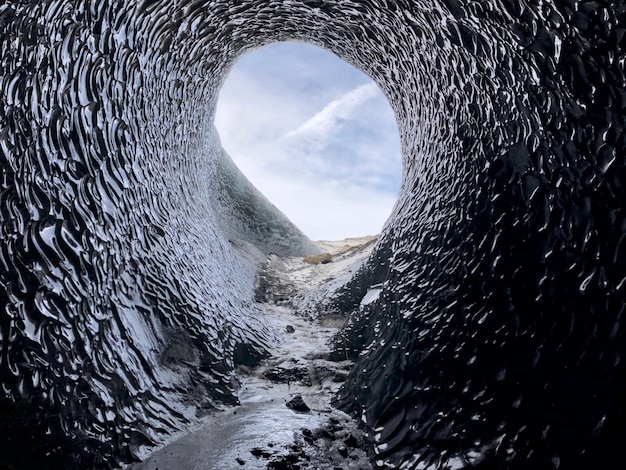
<point x="497" y="340"/>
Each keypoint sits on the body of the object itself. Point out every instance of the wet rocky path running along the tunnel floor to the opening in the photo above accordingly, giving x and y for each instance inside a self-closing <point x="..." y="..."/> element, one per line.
<point x="285" y="420"/>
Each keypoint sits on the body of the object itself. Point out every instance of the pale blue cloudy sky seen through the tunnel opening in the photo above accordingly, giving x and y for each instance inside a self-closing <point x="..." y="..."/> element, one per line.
<point x="315" y="135"/>
